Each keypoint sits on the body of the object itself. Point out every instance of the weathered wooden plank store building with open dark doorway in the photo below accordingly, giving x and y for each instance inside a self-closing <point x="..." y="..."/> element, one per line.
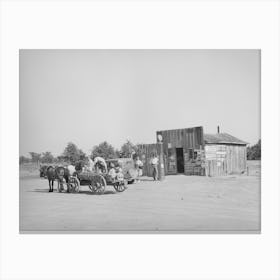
<point x="189" y="151"/>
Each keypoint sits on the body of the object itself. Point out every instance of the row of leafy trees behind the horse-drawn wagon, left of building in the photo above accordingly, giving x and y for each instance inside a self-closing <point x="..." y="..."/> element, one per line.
<point x="72" y="154"/>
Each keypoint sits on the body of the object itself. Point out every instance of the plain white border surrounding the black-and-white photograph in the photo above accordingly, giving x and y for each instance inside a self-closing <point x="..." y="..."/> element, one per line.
<point x="154" y="24"/>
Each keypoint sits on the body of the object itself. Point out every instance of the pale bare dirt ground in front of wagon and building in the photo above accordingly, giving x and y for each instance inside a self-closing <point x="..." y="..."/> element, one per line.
<point x="180" y="203"/>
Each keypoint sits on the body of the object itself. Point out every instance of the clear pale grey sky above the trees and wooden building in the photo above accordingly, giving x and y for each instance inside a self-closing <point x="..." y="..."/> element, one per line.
<point x="90" y="96"/>
